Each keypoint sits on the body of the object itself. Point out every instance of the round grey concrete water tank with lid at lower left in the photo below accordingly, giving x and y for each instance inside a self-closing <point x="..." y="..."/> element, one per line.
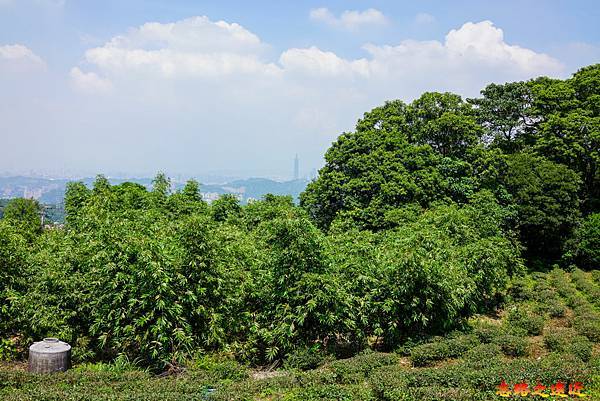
<point x="49" y="355"/>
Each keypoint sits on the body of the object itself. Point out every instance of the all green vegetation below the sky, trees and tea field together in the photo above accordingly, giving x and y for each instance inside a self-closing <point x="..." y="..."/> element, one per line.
<point x="446" y="244"/>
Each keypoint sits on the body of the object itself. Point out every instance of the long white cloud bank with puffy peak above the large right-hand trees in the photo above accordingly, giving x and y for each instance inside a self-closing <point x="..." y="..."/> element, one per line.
<point x="475" y="50"/>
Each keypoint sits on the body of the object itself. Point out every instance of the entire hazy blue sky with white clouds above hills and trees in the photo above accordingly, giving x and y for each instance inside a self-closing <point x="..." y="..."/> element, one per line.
<point x="239" y="87"/>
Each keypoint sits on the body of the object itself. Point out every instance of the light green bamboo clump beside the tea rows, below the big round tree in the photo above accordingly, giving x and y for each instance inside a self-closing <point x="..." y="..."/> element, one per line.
<point x="425" y="275"/>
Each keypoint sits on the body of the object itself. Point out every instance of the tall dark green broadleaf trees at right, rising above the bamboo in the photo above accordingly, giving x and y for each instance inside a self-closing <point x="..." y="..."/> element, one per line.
<point x="535" y="144"/>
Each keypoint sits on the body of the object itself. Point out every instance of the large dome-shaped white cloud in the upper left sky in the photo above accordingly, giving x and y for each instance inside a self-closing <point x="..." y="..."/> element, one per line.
<point x="194" y="47"/>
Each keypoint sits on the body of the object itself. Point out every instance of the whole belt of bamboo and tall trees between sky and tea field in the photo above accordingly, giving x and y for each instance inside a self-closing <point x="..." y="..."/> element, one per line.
<point x="419" y="219"/>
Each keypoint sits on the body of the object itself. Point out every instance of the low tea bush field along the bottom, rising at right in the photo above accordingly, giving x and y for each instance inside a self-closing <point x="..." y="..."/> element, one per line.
<point x="548" y="330"/>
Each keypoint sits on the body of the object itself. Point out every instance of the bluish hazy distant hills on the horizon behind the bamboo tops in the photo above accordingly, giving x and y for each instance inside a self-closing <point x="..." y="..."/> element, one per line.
<point x="52" y="191"/>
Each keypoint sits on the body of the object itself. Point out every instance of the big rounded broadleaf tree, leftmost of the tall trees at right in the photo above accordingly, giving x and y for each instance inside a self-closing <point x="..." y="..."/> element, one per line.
<point x="399" y="154"/>
